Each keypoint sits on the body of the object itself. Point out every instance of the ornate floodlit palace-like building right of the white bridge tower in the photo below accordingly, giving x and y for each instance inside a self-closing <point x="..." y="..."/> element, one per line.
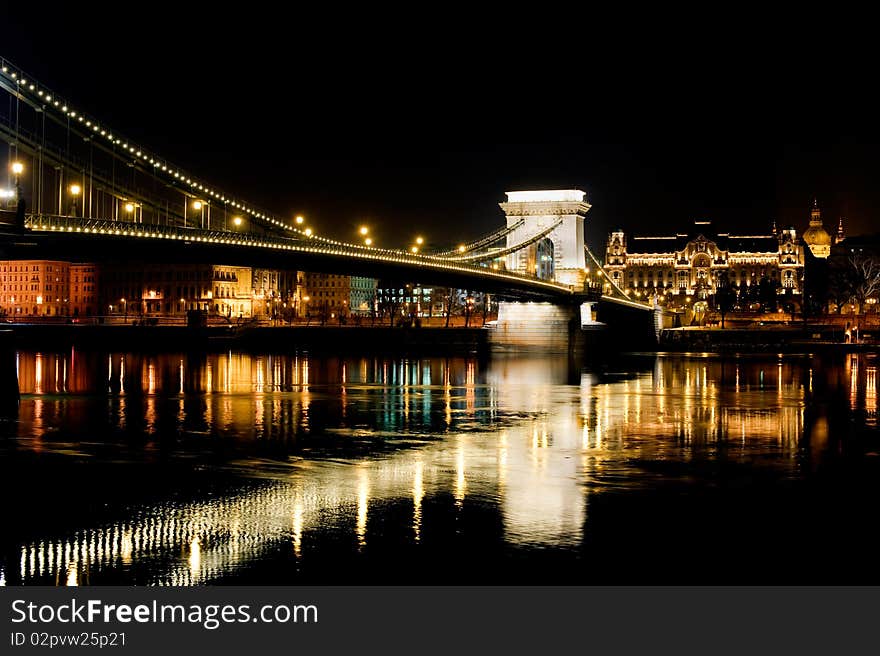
<point x="691" y="264"/>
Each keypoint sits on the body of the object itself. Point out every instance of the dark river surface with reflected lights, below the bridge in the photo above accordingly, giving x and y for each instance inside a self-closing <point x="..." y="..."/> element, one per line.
<point x="177" y="469"/>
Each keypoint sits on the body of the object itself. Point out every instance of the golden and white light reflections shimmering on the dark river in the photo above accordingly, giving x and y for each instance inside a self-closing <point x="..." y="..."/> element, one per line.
<point x="386" y="450"/>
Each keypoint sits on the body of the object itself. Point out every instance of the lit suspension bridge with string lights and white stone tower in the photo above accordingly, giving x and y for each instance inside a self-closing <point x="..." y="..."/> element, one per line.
<point x="80" y="189"/>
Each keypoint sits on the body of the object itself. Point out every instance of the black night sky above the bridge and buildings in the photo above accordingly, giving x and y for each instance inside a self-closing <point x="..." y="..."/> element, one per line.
<point x="420" y="127"/>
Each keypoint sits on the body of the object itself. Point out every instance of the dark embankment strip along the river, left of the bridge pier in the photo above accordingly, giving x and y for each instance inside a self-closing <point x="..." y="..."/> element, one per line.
<point x="325" y="339"/>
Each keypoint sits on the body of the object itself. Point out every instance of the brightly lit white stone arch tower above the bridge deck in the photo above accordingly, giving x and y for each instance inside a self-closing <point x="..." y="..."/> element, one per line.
<point x="560" y="254"/>
